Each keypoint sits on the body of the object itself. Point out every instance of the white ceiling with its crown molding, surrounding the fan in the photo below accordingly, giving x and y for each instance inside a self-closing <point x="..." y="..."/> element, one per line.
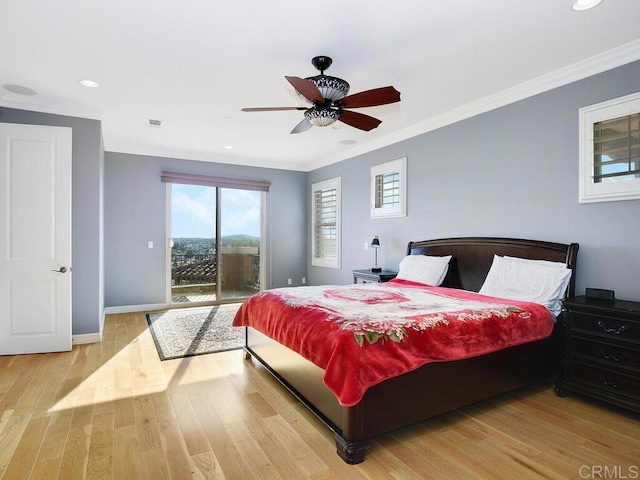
<point x="195" y="63"/>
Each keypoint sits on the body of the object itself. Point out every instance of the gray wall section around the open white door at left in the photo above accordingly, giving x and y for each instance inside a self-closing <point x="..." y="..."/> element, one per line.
<point x="86" y="217"/>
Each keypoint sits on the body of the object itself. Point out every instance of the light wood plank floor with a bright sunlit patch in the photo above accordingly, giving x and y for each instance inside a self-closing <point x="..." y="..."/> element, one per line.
<point x="115" y="411"/>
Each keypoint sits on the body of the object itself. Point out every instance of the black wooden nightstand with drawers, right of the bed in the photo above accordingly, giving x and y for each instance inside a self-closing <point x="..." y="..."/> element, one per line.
<point x="601" y="351"/>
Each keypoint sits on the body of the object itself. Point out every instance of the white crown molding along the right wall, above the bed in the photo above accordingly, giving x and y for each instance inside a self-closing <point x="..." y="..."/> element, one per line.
<point x="608" y="60"/>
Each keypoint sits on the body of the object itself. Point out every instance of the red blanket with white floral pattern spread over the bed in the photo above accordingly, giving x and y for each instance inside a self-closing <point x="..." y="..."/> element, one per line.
<point x="363" y="334"/>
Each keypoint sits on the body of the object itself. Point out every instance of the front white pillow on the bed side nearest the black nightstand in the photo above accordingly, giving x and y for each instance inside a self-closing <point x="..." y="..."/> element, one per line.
<point x="527" y="280"/>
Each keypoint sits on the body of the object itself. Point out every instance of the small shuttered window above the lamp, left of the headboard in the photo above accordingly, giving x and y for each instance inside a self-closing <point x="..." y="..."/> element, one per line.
<point x="388" y="189"/>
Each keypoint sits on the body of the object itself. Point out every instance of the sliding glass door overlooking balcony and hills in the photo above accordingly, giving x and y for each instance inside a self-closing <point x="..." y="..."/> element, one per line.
<point x="215" y="243"/>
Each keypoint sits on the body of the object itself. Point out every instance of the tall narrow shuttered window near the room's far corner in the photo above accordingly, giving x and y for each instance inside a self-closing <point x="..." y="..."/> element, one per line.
<point x="325" y="201"/>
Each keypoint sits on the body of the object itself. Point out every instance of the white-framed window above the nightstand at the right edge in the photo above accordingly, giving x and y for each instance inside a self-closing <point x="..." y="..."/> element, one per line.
<point x="610" y="150"/>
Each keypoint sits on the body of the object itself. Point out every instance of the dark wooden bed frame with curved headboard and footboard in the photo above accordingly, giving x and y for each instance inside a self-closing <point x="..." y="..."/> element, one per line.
<point x="434" y="388"/>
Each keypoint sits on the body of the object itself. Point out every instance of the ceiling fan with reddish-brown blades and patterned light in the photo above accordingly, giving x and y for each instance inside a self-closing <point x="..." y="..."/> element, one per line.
<point x="329" y="99"/>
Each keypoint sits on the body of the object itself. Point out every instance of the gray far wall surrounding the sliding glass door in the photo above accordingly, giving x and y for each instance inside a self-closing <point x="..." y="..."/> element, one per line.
<point x="135" y="212"/>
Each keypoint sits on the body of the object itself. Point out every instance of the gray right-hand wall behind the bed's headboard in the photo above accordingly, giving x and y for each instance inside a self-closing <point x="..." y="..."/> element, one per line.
<point x="511" y="172"/>
